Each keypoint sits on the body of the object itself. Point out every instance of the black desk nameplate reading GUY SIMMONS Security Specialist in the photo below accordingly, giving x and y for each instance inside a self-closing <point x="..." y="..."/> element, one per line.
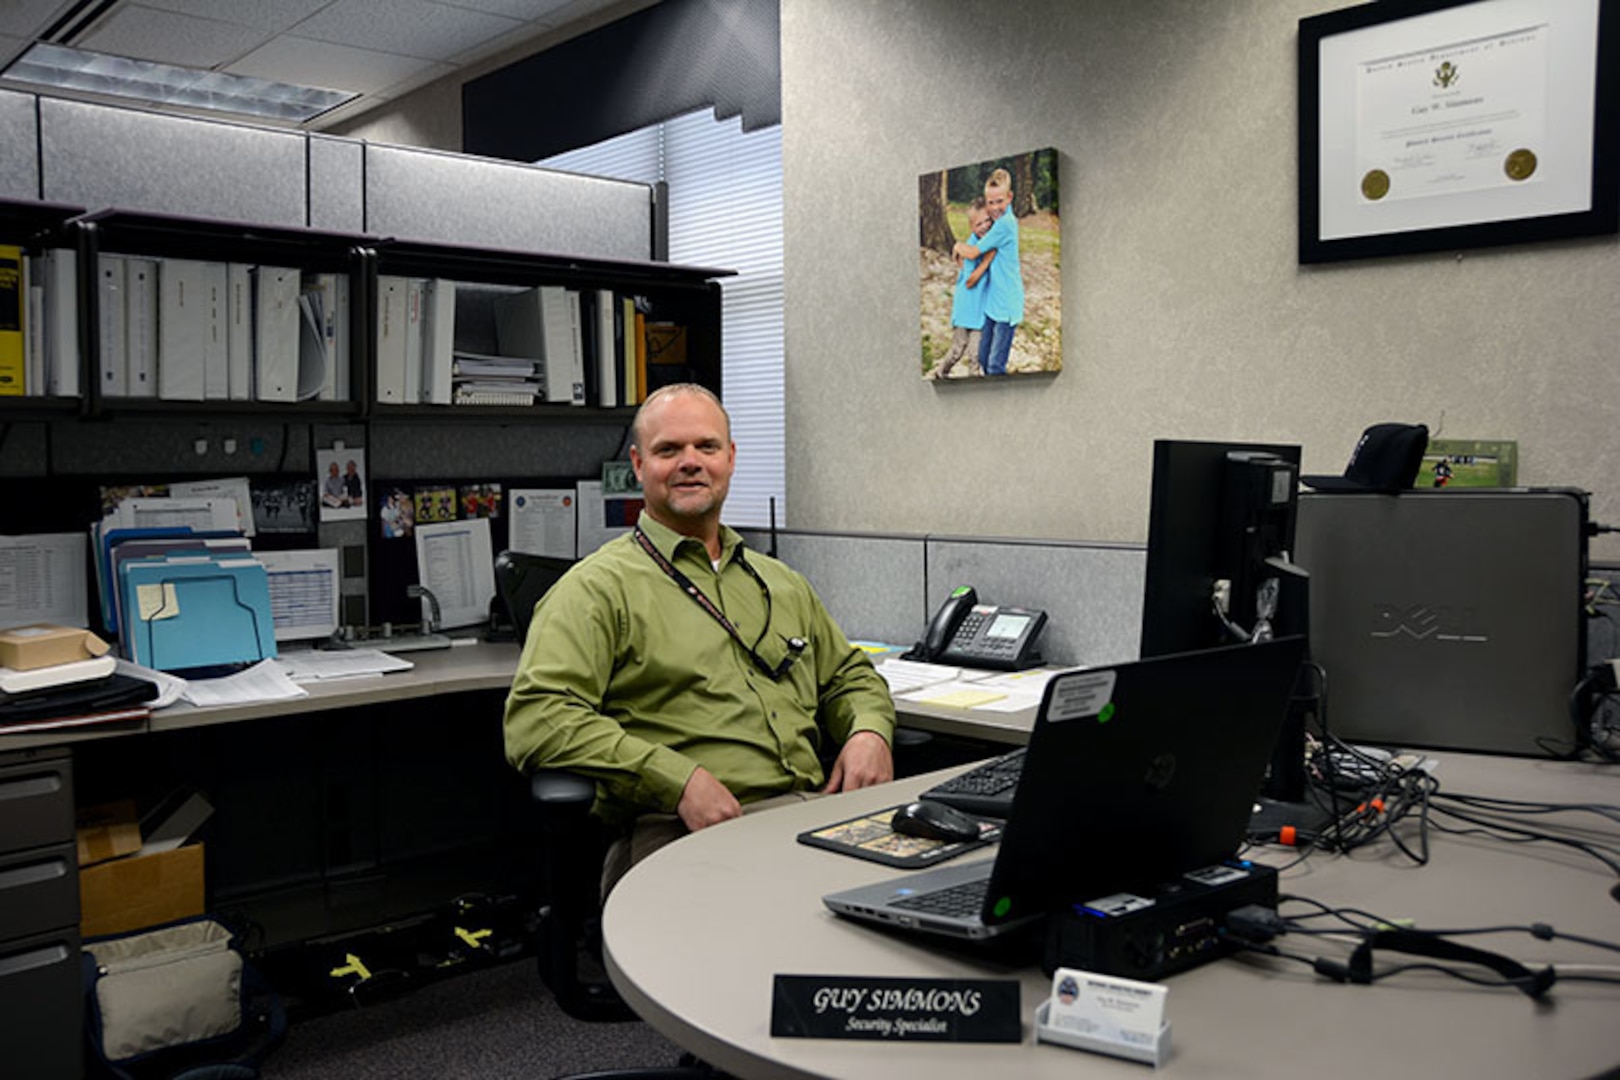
<point x="897" y="1010"/>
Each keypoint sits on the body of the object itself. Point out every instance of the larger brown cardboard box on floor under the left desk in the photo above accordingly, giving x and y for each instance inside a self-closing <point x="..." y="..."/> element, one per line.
<point x="142" y="891"/>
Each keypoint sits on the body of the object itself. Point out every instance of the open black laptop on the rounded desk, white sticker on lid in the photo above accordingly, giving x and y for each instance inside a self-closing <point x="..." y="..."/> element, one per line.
<point x="1135" y="776"/>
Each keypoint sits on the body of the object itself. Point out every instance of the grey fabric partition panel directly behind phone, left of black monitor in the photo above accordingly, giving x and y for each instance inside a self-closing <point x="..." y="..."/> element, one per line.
<point x="1093" y="595"/>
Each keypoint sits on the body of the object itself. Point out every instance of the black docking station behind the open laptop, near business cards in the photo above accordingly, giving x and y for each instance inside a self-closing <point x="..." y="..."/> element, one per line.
<point x="1174" y="930"/>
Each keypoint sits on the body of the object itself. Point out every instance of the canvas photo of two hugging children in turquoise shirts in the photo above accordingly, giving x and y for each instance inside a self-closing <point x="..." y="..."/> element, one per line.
<point x="991" y="245"/>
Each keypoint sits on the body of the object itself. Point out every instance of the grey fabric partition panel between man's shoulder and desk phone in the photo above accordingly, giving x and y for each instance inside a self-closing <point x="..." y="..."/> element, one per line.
<point x="872" y="585"/>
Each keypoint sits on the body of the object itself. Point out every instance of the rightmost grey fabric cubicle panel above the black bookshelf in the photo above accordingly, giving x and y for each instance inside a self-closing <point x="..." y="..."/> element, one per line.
<point x="450" y="198"/>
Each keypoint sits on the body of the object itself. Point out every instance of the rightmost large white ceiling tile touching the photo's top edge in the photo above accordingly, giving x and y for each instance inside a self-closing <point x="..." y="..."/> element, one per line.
<point x="414" y="28"/>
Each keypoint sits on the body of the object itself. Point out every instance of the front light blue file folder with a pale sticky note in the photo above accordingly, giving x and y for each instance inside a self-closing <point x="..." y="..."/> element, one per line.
<point x="197" y="613"/>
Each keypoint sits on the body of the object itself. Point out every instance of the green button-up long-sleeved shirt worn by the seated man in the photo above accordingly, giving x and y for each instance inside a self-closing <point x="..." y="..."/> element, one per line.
<point x="626" y="679"/>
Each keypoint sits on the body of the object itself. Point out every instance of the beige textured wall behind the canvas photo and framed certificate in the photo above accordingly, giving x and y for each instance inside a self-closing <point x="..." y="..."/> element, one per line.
<point x="1187" y="313"/>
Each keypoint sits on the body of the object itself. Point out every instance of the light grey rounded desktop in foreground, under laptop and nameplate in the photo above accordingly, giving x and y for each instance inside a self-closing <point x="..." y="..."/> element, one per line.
<point x="696" y="933"/>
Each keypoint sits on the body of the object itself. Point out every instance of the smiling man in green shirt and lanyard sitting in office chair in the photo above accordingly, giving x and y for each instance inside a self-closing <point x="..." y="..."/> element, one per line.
<point x="688" y="678"/>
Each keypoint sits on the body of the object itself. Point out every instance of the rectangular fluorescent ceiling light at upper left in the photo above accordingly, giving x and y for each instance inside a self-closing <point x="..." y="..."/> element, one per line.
<point x="166" y="85"/>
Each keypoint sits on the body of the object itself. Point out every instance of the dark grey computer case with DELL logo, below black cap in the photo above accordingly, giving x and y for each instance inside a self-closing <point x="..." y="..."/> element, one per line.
<point x="1449" y="619"/>
